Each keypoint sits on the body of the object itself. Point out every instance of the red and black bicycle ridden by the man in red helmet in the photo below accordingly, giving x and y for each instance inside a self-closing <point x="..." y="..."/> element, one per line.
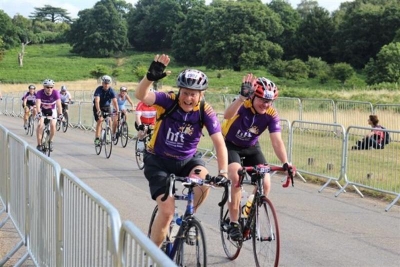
<point x="261" y="225"/>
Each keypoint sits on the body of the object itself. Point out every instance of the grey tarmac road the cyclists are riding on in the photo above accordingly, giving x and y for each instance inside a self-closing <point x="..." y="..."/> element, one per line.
<point x="317" y="229"/>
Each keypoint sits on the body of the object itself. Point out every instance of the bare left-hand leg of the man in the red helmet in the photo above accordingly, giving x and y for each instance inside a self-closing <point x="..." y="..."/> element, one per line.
<point x="236" y="192"/>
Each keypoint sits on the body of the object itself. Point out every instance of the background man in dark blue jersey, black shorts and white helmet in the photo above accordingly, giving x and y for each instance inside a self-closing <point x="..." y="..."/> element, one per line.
<point x="104" y="95"/>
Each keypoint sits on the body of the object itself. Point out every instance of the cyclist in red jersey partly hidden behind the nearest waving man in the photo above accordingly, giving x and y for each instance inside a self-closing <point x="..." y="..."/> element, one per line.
<point x="145" y="115"/>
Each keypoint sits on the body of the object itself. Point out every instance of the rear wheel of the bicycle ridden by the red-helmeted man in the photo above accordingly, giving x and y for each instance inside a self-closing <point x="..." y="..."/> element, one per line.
<point x="231" y="248"/>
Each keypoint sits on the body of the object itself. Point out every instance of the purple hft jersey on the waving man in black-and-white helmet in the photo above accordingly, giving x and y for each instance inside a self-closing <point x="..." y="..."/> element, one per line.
<point x="179" y="133"/>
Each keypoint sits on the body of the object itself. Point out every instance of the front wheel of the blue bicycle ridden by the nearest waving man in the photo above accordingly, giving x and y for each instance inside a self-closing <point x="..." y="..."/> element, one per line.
<point x="192" y="249"/>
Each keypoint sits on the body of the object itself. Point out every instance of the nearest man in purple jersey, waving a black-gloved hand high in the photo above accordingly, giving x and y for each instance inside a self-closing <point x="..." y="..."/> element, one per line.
<point x="174" y="143"/>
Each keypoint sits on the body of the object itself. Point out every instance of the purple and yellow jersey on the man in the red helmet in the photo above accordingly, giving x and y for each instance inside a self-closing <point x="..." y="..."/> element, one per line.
<point x="247" y="125"/>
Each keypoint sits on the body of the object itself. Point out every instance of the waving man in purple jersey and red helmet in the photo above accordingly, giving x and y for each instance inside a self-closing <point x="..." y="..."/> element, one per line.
<point x="245" y="120"/>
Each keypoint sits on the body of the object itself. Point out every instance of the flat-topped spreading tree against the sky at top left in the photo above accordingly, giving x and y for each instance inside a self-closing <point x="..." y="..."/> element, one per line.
<point x="50" y="13"/>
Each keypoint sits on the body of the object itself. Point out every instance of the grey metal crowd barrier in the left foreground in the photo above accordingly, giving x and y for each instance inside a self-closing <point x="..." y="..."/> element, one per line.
<point x="59" y="219"/>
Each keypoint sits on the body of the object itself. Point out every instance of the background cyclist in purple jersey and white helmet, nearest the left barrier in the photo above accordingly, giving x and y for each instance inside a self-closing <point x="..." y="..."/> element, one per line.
<point x="48" y="102"/>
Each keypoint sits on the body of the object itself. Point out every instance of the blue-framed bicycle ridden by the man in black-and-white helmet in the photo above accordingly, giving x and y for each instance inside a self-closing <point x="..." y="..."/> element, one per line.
<point x="188" y="246"/>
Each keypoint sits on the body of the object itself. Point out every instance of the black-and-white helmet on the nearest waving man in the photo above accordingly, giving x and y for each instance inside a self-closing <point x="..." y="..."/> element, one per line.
<point x="192" y="79"/>
